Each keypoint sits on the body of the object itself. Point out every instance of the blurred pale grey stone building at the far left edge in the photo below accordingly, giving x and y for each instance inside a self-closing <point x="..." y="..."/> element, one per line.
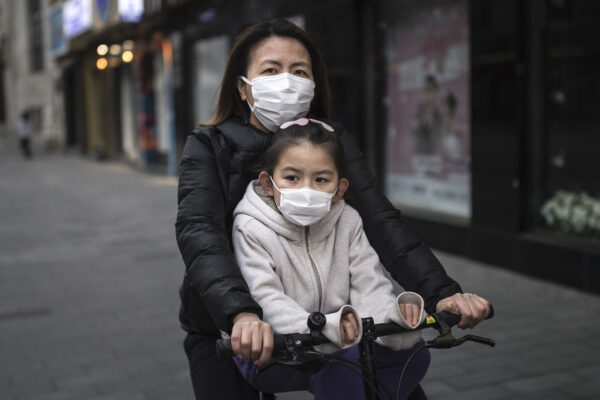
<point x="29" y="78"/>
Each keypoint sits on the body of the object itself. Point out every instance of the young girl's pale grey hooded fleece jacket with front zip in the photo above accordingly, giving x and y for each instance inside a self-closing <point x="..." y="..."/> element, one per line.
<point x="328" y="267"/>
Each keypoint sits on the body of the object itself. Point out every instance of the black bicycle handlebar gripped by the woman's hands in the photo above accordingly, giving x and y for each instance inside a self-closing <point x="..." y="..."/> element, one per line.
<point x="281" y="341"/>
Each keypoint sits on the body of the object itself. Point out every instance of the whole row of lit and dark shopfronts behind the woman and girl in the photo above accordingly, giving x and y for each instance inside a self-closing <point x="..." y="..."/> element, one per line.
<point x="477" y="117"/>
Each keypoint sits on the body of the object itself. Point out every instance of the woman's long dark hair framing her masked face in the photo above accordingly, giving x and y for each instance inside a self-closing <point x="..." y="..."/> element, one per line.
<point x="230" y="103"/>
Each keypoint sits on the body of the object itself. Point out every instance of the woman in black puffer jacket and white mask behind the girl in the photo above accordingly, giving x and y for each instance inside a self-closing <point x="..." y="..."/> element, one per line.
<point x="274" y="74"/>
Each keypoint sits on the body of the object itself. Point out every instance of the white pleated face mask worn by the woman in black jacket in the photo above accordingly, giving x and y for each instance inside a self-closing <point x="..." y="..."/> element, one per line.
<point x="280" y="98"/>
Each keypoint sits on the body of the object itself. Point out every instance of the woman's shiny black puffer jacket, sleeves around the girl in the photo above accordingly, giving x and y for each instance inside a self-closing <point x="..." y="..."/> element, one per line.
<point x="216" y="166"/>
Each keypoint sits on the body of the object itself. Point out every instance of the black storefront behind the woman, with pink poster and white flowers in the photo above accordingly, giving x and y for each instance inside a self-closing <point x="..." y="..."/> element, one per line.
<point x="473" y="115"/>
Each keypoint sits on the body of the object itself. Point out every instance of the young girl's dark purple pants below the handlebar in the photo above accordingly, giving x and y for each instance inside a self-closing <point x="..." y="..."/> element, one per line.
<point x="334" y="381"/>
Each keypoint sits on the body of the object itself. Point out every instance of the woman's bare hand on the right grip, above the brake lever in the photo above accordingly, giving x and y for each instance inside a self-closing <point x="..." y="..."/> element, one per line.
<point x="471" y="307"/>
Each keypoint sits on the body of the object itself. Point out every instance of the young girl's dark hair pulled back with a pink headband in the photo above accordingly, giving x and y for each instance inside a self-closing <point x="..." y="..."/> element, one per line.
<point x="293" y="135"/>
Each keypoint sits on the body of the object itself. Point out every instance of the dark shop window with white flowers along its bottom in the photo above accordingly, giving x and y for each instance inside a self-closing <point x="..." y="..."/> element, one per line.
<point x="571" y="202"/>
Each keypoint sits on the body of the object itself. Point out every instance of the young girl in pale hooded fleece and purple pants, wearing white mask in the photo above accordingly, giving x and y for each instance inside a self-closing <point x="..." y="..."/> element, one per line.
<point x="301" y="249"/>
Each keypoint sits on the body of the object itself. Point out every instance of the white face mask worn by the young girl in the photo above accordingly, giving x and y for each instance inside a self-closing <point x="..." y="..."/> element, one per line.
<point x="304" y="206"/>
